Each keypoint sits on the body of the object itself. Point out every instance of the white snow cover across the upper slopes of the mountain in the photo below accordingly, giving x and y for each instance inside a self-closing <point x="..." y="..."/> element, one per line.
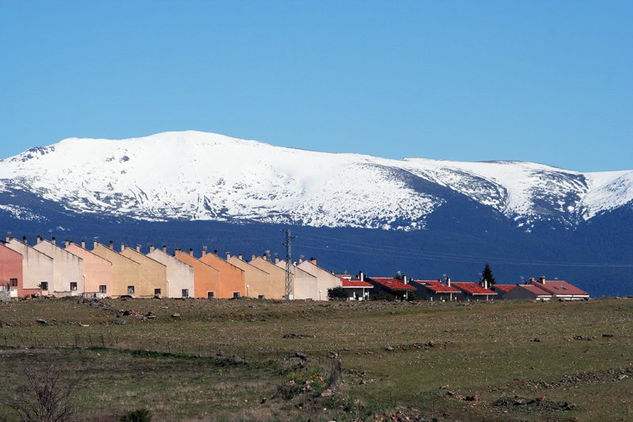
<point x="203" y="176"/>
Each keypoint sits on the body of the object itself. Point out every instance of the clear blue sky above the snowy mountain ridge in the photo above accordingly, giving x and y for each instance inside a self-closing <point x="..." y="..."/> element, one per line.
<point x="546" y="81"/>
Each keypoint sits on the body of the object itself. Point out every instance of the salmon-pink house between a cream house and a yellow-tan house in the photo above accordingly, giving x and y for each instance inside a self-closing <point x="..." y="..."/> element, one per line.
<point x="98" y="281"/>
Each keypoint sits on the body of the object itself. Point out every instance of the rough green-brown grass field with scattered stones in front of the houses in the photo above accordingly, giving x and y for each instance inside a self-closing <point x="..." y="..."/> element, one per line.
<point x="260" y="360"/>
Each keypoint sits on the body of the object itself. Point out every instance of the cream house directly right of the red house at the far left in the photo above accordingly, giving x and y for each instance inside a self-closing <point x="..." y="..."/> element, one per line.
<point x="37" y="266"/>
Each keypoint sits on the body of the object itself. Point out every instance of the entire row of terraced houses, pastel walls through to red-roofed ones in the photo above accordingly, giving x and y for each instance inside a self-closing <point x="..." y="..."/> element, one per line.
<point x="69" y="269"/>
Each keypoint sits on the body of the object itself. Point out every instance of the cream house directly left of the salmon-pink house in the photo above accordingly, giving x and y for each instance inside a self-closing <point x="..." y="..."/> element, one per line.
<point x="68" y="269"/>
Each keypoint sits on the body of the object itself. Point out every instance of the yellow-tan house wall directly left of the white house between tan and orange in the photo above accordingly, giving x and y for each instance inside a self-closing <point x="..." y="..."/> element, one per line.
<point x="152" y="274"/>
